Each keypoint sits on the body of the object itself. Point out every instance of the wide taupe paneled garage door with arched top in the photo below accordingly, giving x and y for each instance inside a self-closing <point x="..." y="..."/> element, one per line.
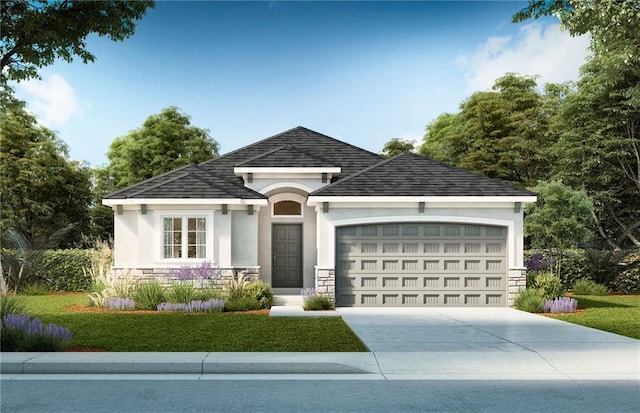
<point x="417" y="264"/>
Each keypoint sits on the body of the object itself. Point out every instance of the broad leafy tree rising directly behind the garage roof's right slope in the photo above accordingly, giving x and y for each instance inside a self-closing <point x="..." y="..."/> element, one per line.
<point x="504" y="133"/>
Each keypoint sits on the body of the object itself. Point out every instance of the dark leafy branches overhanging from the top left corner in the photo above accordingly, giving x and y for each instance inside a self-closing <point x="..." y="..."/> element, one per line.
<point x="35" y="33"/>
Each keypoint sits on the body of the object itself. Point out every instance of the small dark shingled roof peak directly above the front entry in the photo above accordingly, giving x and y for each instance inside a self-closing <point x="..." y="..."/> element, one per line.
<point x="286" y="156"/>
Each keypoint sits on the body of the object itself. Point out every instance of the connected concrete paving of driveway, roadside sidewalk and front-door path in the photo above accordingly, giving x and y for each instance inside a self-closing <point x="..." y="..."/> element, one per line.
<point x="443" y="343"/>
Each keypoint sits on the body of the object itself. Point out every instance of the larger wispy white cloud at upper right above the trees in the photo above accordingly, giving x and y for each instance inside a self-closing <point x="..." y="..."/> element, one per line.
<point x="536" y="50"/>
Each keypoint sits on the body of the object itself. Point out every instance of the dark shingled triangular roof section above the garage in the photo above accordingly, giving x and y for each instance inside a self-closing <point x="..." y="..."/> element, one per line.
<point x="409" y="174"/>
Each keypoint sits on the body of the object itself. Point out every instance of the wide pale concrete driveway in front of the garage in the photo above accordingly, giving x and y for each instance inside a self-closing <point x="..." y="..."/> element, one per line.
<point x="495" y="342"/>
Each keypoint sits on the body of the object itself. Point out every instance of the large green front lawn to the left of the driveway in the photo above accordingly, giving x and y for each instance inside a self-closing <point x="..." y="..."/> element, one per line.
<point x="193" y="332"/>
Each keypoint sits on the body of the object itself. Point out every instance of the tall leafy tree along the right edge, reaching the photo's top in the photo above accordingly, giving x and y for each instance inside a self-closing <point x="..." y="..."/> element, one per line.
<point x="600" y="145"/>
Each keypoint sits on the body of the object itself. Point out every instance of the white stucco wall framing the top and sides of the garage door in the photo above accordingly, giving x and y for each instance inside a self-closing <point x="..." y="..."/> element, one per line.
<point x="485" y="215"/>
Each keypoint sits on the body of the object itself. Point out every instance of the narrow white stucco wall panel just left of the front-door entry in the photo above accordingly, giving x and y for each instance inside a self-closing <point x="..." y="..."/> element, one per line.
<point x="244" y="238"/>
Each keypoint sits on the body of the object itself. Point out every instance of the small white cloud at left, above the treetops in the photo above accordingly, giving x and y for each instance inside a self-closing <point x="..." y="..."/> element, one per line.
<point x="51" y="99"/>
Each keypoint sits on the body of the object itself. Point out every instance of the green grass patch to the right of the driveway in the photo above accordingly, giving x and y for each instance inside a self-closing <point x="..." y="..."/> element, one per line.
<point x="618" y="314"/>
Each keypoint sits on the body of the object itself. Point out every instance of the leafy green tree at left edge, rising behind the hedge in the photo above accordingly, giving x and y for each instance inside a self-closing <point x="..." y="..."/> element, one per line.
<point x="41" y="189"/>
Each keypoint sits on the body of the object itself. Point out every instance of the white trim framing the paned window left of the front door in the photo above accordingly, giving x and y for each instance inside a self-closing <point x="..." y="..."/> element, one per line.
<point x="184" y="214"/>
